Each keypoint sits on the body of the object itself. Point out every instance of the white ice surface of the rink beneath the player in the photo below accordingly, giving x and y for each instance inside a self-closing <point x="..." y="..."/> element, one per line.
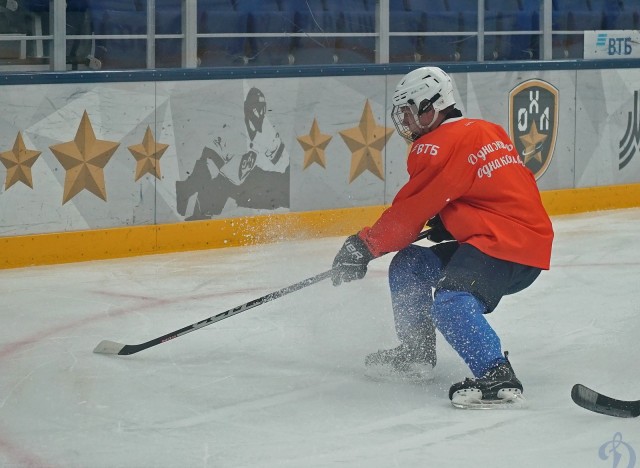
<point x="282" y="385"/>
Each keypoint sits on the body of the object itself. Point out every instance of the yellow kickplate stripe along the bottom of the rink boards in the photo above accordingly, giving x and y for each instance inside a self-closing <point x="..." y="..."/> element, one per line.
<point x="98" y="244"/>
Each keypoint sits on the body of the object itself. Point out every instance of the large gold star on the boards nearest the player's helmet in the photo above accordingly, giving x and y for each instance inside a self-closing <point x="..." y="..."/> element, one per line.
<point x="366" y="142"/>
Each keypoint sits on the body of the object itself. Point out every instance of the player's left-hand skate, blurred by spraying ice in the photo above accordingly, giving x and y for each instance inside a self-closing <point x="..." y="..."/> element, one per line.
<point x="402" y="363"/>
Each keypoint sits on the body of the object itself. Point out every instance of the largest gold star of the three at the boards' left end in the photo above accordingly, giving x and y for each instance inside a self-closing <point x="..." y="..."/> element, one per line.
<point x="84" y="159"/>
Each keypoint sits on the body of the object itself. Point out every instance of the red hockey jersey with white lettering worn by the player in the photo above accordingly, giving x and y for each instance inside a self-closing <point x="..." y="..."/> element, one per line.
<point x="469" y="172"/>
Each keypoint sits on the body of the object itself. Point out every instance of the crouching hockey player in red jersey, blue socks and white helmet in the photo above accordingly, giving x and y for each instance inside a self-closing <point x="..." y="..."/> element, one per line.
<point x="467" y="181"/>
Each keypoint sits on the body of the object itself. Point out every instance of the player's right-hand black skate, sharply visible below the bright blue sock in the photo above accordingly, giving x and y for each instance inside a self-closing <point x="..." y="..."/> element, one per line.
<point x="499" y="386"/>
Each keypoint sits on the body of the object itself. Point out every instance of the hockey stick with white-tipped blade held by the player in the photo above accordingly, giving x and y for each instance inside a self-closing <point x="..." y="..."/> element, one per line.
<point x="112" y="347"/>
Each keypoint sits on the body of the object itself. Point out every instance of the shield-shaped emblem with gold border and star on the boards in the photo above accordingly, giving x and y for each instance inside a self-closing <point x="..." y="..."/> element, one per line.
<point x="533" y="123"/>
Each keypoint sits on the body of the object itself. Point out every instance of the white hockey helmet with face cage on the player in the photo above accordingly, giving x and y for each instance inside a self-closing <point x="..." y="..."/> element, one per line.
<point x="417" y="92"/>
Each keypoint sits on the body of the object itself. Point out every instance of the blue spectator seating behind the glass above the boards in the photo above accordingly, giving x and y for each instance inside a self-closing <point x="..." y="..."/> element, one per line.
<point x="454" y="23"/>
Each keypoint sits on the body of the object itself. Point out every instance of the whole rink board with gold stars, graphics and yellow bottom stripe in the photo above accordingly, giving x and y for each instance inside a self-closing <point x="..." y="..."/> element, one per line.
<point x="337" y="151"/>
